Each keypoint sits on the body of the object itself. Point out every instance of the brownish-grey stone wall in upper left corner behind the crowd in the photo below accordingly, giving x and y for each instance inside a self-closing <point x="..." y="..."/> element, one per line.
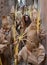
<point x="5" y="7"/>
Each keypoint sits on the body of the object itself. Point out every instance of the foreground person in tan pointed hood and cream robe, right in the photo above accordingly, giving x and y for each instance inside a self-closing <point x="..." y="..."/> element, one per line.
<point x="33" y="52"/>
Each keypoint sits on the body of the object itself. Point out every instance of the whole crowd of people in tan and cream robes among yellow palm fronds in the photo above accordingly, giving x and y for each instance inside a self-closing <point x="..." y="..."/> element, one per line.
<point x="31" y="51"/>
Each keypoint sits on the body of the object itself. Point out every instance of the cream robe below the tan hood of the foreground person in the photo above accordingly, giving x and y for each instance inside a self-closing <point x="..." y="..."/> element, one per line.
<point x="35" y="57"/>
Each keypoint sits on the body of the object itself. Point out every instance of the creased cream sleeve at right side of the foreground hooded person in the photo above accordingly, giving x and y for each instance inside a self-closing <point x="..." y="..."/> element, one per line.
<point x="41" y="54"/>
